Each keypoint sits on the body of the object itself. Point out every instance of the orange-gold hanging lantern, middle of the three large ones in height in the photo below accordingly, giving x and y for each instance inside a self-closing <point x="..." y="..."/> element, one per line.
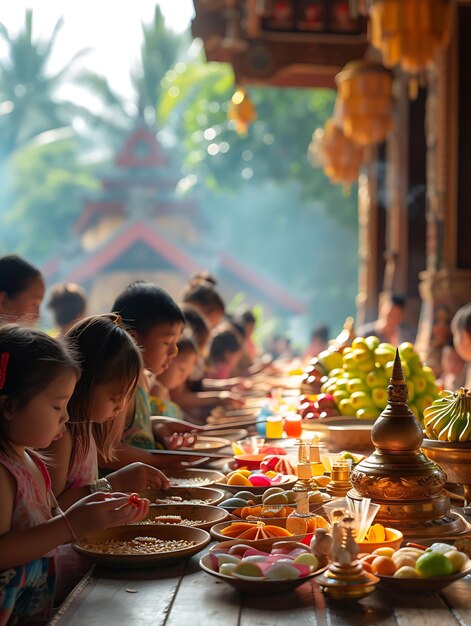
<point x="364" y="102"/>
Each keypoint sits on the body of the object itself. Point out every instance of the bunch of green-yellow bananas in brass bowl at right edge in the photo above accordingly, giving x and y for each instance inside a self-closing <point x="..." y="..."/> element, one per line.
<point x="449" y="417"/>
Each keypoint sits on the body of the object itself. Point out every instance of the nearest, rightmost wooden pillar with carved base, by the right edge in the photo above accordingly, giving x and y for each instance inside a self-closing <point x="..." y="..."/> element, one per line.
<point x="446" y="283"/>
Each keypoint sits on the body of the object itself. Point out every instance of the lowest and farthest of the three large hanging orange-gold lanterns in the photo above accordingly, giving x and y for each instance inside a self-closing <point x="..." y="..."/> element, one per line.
<point x="339" y="156"/>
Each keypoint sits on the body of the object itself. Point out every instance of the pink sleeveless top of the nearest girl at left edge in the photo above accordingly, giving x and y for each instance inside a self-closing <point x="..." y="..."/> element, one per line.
<point x="31" y="506"/>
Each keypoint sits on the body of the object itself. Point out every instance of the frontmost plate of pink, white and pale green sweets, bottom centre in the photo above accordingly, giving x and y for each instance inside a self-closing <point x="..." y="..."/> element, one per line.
<point x="269" y="568"/>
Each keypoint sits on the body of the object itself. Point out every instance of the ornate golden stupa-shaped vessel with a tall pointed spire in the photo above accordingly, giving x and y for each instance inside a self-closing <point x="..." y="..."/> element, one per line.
<point x="409" y="487"/>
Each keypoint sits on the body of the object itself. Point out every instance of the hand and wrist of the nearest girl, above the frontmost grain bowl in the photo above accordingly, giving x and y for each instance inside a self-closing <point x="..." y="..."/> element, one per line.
<point x="104" y="510"/>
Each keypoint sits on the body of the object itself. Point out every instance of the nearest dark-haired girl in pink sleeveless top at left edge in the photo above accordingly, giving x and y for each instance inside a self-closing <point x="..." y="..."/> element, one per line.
<point x="37" y="378"/>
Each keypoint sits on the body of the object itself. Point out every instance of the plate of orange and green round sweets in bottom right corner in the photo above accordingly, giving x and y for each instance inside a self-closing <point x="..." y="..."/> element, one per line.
<point x="416" y="568"/>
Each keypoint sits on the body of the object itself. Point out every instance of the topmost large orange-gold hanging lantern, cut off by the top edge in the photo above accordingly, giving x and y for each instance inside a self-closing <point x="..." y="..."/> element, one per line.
<point x="410" y="32"/>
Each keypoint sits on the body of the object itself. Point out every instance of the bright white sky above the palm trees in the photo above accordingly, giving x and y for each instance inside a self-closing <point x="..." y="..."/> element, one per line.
<point x="111" y="27"/>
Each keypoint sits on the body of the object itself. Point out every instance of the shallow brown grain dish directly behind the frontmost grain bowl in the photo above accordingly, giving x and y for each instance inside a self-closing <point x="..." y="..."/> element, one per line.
<point x="205" y="515"/>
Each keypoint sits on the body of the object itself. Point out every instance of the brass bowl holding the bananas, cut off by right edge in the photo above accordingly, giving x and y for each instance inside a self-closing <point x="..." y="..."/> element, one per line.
<point x="454" y="458"/>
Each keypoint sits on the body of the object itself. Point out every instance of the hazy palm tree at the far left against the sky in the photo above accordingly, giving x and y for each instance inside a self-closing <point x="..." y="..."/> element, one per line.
<point x="27" y="89"/>
